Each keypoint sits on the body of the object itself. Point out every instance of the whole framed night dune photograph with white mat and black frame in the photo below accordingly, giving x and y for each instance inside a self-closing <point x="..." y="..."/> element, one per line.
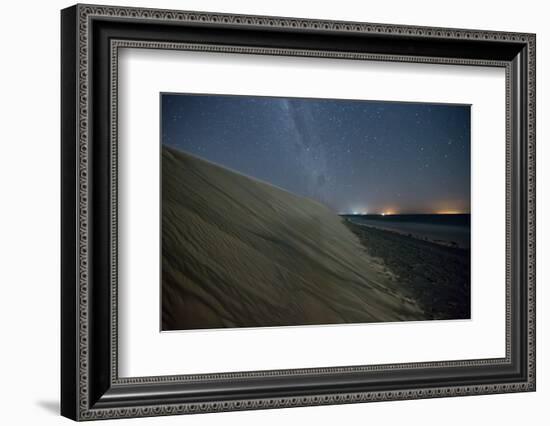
<point x="263" y="212"/>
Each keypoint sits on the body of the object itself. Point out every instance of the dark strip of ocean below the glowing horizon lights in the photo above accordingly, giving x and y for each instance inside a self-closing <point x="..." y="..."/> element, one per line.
<point x="448" y="229"/>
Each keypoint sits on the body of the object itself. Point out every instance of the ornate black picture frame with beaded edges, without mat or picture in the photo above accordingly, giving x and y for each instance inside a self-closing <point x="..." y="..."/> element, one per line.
<point x="90" y="386"/>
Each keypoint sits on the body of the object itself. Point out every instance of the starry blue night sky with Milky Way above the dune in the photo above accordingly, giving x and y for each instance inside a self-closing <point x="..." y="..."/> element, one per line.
<point x="353" y="156"/>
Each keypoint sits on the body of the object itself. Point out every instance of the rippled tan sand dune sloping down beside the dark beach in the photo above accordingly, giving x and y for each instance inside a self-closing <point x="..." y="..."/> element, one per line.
<point x="237" y="252"/>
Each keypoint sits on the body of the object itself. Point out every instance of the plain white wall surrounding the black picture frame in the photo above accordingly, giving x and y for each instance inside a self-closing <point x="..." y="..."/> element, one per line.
<point x="30" y="224"/>
